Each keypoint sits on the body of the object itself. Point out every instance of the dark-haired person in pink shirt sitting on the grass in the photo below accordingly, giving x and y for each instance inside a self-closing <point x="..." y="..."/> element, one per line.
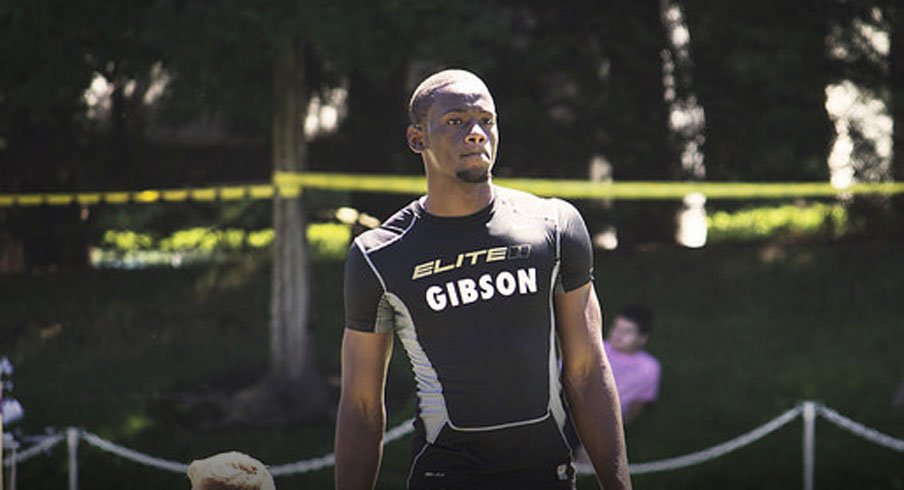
<point x="636" y="372"/>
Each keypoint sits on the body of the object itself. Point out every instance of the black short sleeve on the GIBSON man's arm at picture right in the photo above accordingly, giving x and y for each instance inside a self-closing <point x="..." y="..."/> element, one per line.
<point x="575" y="249"/>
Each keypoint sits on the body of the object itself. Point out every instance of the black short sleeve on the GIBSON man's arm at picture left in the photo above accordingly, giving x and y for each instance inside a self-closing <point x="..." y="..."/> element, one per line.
<point x="363" y="292"/>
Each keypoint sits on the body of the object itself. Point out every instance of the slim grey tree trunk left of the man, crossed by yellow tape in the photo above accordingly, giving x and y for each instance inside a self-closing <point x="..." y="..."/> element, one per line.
<point x="294" y="389"/>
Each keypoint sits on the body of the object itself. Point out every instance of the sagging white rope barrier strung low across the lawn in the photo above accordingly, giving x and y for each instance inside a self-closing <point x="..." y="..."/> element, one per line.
<point x="407" y="427"/>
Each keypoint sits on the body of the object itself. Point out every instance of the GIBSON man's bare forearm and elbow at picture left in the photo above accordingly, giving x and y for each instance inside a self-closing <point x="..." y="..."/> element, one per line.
<point x="361" y="418"/>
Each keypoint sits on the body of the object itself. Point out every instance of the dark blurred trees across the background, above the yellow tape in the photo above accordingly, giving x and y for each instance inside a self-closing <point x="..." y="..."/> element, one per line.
<point x="570" y="84"/>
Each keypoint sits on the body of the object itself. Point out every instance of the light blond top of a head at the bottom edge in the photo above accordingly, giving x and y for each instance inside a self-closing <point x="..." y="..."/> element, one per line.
<point x="229" y="471"/>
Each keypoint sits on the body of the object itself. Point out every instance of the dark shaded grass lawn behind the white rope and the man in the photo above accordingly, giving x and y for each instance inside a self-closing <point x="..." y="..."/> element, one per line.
<point x="743" y="333"/>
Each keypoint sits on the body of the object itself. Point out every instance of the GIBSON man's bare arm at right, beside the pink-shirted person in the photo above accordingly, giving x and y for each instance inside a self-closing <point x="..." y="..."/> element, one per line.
<point x="590" y="387"/>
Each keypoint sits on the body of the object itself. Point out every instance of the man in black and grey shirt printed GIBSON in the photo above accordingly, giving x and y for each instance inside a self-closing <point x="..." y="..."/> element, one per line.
<point x="479" y="283"/>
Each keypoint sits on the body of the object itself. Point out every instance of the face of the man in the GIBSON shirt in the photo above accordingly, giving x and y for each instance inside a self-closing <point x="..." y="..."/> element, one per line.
<point x="459" y="136"/>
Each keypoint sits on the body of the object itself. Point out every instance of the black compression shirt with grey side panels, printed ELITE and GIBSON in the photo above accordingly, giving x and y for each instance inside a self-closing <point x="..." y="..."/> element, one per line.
<point x="471" y="300"/>
